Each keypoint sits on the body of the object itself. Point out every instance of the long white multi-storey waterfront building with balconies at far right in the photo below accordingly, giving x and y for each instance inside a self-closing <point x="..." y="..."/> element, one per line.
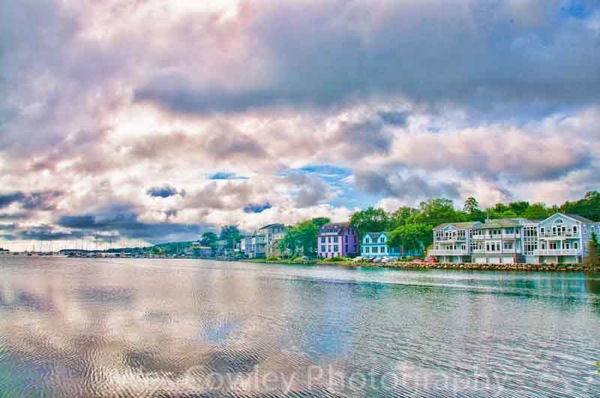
<point x="561" y="238"/>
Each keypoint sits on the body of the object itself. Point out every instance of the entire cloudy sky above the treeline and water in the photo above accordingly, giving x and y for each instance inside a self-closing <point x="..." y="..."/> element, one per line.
<point x="129" y="122"/>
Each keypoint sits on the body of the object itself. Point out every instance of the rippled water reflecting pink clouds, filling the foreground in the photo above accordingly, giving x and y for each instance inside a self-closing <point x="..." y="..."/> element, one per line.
<point x="72" y="327"/>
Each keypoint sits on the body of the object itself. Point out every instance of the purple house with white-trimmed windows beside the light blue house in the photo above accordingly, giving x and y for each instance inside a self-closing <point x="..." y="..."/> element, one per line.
<point x="337" y="240"/>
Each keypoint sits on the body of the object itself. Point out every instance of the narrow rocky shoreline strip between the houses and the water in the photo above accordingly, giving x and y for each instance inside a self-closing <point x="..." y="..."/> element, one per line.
<point x="426" y="266"/>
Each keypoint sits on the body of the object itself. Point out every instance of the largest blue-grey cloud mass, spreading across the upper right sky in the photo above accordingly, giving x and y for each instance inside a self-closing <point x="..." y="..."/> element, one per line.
<point x="486" y="55"/>
